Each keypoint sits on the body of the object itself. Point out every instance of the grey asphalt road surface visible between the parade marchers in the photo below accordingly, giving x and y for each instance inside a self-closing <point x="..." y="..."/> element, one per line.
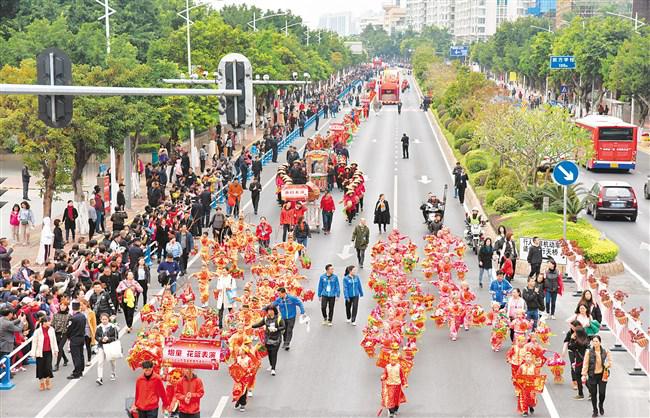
<point x="326" y="373"/>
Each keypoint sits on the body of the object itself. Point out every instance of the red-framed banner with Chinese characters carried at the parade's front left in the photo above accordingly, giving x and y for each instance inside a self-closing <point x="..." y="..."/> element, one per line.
<point x="193" y="353"/>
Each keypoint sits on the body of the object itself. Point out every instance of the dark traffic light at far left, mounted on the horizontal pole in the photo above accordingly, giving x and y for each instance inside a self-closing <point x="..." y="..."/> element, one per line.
<point x="54" y="68"/>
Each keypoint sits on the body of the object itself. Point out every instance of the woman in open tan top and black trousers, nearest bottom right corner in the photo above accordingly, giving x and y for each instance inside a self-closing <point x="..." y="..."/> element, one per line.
<point x="595" y="372"/>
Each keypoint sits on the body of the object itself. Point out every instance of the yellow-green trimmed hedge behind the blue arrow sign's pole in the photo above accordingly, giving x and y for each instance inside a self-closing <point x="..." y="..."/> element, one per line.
<point x="547" y="225"/>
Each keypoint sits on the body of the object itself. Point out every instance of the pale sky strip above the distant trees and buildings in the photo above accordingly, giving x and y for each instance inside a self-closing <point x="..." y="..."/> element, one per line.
<point x="311" y="10"/>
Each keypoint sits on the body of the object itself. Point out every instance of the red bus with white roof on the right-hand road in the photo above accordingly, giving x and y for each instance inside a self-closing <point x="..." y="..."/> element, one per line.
<point x="615" y="142"/>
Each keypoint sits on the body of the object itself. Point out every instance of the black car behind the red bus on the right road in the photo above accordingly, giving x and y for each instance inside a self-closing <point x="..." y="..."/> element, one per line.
<point x="612" y="198"/>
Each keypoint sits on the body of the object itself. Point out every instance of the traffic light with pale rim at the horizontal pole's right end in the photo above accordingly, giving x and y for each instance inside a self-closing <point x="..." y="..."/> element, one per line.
<point x="236" y="73"/>
